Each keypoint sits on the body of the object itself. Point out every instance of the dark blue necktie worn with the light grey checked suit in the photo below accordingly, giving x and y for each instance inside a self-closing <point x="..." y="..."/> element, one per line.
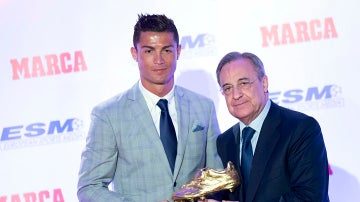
<point x="167" y="133"/>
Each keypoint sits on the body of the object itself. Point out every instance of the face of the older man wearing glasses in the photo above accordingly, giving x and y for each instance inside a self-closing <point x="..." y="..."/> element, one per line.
<point x="244" y="93"/>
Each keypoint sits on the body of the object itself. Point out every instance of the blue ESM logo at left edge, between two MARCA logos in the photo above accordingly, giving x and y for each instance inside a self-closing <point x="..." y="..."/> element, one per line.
<point x="40" y="133"/>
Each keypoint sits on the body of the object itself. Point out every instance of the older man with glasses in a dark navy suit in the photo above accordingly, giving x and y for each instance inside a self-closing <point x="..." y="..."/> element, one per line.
<point x="285" y="158"/>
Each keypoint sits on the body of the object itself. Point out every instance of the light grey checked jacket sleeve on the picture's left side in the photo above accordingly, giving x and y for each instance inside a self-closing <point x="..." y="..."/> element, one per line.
<point x="98" y="162"/>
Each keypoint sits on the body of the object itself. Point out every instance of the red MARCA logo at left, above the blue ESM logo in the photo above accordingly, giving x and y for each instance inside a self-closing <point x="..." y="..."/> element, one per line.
<point x="48" y="65"/>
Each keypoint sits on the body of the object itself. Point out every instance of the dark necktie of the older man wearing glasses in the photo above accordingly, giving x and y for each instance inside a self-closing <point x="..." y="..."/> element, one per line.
<point x="246" y="155"/>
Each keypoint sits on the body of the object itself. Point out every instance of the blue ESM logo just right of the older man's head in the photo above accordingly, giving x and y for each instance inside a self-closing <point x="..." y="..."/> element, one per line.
<point x="310" y="98"/>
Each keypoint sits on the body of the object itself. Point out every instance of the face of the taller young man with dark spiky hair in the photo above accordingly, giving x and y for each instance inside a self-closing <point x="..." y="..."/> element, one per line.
<point x="156" y="54"/>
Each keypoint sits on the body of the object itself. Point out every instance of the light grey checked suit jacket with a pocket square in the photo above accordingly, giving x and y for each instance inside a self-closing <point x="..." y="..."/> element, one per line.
<point x="123" y="148"/>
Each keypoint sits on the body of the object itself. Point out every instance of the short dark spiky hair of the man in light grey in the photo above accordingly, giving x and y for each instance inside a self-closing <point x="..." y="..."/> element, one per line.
<point x="154" y="23"/>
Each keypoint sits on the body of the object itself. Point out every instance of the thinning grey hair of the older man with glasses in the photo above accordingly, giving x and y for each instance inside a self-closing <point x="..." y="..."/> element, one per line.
<point x="232" y="56"/>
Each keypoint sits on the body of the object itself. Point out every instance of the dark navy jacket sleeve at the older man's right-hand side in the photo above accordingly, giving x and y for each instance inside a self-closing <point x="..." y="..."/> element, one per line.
<point x="307" y="164"/>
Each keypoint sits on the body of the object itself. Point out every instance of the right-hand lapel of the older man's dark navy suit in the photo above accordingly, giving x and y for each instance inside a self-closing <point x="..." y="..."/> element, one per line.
<point x="265" y="145"/>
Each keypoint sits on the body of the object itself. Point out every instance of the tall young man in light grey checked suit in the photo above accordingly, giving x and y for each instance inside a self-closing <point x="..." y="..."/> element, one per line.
<point x="124" y="146"/>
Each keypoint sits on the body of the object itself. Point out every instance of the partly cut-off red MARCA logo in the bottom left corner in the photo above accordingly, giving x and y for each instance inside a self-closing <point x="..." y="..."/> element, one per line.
<point x="42" y="196"/>
